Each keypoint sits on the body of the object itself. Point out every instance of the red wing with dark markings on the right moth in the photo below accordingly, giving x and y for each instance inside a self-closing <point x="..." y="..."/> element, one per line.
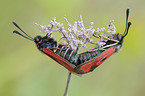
<point x="92" y="64"/>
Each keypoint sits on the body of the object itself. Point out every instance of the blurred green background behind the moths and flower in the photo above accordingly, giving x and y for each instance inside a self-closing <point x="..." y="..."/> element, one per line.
<point x="24" y="71"/>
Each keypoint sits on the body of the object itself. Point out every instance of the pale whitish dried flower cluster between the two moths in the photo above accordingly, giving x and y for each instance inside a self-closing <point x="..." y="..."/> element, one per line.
<point x="77" y="35"/>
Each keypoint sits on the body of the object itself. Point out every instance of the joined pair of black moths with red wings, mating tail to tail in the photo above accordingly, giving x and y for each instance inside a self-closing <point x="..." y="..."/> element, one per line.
<point x="78" y="63"/>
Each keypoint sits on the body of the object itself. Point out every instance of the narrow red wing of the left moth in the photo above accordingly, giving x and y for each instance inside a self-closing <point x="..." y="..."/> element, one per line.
<point x="59" y="59"/>
